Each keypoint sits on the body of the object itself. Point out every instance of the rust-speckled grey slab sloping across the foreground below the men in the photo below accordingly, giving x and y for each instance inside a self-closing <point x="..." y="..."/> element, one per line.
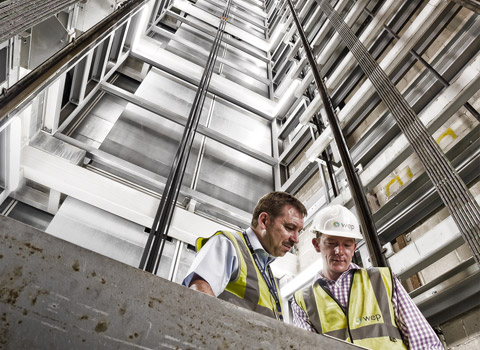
<point x="55" y="295"/>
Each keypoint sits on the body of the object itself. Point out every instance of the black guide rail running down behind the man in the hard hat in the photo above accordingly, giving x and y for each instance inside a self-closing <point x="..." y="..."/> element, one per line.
<point x="356" y="188"/>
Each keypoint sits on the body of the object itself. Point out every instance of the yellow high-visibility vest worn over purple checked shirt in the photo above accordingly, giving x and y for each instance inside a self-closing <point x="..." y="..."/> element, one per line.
<point x="369" y="318"/>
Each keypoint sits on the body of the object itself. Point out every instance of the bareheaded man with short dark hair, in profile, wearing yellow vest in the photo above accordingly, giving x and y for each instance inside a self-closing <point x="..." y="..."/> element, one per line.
<point x="235" y="266"/>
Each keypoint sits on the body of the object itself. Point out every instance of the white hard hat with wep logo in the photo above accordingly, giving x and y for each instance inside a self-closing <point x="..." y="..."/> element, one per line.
<point x="336" y="220"/>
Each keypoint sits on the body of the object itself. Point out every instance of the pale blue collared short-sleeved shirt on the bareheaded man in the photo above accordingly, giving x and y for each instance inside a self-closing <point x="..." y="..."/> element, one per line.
<point x="217" y="261"/>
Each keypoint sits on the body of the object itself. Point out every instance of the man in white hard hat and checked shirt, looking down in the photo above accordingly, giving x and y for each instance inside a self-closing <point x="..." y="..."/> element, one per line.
<point x="368" y="307"/>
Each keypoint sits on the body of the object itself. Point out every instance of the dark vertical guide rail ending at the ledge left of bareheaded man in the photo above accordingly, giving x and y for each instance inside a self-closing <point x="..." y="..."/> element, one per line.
<point x="154" y="247"/>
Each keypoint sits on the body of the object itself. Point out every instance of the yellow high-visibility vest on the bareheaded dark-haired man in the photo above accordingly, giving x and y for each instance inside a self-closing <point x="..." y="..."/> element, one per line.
<point x="247" y="288"/>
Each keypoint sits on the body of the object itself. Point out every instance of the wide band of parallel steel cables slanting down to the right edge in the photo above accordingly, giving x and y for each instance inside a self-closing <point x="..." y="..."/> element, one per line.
<point x="463" y="208"/>
